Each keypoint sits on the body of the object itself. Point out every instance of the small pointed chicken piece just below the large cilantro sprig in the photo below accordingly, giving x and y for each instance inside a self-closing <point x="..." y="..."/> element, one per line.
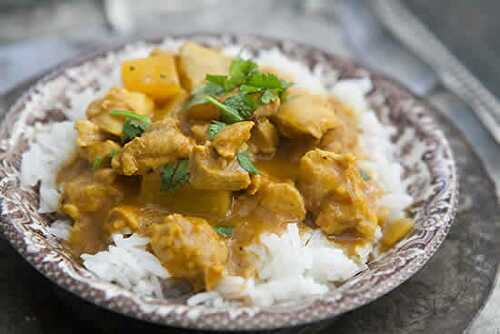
<point x="230" y="138"/>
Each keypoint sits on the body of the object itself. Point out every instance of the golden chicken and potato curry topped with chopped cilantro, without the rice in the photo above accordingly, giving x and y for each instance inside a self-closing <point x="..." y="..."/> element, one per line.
<point x="203" y="153"/>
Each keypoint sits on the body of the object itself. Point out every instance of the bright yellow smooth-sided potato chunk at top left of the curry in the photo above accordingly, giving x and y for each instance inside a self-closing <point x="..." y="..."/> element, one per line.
<point x="155" y="76"/>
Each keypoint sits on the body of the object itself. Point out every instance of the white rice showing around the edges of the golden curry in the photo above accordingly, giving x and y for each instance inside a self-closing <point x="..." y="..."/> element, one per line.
<point x="290" y="266"/>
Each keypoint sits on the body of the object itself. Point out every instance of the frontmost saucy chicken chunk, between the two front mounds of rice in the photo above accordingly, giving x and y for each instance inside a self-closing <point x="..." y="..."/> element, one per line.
<point x="190" y="249"/>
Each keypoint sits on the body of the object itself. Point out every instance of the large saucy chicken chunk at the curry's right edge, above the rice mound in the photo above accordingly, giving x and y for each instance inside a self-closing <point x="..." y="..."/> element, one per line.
<point x="336" y="192"/>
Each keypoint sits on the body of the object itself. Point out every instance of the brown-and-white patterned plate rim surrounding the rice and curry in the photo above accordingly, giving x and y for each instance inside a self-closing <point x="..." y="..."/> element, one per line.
<point x="423" y="151"/>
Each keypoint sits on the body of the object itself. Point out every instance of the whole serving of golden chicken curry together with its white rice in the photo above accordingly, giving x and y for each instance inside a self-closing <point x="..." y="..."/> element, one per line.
<point x="244" y="176"/>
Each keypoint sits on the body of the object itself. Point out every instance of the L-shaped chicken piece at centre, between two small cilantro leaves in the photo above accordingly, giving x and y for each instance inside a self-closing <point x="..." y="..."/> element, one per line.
<point x="209" y="172"/>
